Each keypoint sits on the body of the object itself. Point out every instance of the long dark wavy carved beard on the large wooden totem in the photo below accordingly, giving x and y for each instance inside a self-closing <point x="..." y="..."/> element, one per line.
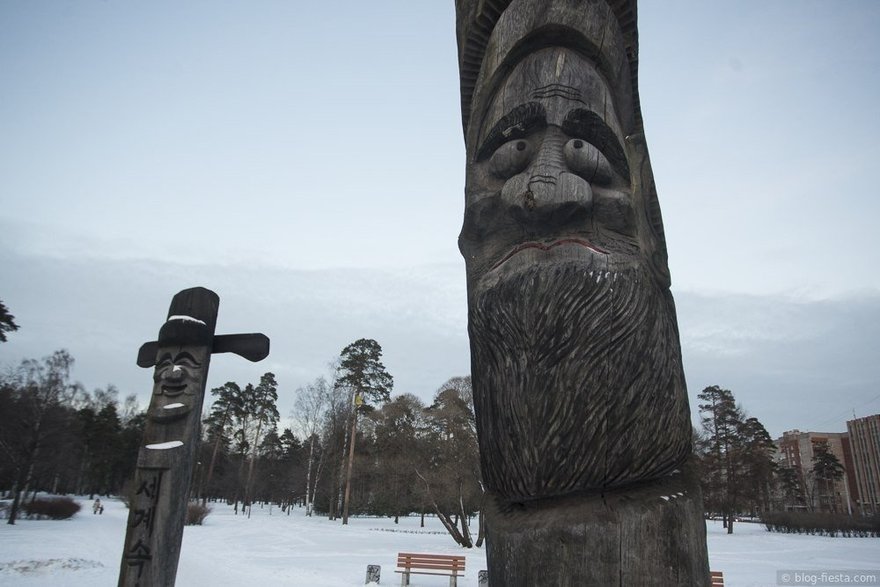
<point x="577" y="380"/>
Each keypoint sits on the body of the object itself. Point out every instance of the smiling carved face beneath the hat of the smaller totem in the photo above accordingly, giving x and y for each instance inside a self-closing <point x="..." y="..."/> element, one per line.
<point x="177" y="380"/>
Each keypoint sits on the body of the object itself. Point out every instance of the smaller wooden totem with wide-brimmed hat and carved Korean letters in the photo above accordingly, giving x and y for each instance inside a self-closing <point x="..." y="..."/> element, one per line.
<point x="157" y="508"/>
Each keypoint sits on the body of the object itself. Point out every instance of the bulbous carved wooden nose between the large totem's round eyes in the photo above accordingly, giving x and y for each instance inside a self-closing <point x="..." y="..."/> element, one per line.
<point x="547" y="193"/>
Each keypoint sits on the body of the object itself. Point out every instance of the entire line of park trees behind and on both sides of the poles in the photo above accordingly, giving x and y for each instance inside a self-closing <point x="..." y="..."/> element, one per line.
<point x="352" y="448"/>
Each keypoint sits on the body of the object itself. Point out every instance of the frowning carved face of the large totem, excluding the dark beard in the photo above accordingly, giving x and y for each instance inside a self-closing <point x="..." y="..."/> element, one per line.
<point x="549" y="180"/>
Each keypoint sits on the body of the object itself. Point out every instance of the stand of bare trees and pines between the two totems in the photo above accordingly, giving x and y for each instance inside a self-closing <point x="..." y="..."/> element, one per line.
<point x="353" y="448"/>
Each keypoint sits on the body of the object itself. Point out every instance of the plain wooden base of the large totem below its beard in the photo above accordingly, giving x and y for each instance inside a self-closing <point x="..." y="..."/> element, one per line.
<point x="639" y="536"/>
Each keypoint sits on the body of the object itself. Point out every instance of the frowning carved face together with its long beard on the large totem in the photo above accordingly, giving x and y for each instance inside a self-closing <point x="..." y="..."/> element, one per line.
<point x="576" y="366"/>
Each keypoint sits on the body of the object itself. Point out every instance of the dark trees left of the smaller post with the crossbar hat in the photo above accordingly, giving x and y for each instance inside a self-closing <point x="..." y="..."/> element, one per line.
<point x="60" y="438"/>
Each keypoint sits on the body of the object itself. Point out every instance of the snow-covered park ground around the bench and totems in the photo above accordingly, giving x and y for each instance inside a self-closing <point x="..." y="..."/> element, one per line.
<point x="273" y="549"/>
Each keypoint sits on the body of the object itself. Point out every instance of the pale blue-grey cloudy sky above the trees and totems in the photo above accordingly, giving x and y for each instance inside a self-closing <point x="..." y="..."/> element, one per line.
<point x="305" y="161"/>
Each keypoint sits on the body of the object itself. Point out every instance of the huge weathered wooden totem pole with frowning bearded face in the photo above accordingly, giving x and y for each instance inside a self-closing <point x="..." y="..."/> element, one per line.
<point x="582" y="411"/>
